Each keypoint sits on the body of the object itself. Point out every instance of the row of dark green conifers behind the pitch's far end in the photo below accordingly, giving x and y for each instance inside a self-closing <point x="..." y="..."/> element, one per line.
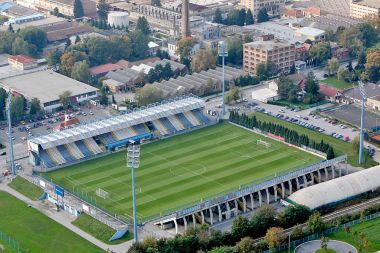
<point x="290" y="136"/>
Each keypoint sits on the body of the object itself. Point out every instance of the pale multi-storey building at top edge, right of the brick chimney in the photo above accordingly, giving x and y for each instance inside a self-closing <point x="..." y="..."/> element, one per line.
<point x="274" y="7"/>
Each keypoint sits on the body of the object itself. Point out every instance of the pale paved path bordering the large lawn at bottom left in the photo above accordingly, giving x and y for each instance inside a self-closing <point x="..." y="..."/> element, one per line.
<point x="65" y="219"/>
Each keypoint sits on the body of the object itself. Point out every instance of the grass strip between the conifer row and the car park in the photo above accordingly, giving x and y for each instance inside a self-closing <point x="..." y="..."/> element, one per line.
<point x="340" y="147"/>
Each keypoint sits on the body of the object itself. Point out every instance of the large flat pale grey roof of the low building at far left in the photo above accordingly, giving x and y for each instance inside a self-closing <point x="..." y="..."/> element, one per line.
<point x="46" y="85"/>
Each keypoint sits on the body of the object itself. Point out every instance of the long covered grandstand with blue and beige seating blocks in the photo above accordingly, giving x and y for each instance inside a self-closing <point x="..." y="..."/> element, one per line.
<point x="90" y="140"/>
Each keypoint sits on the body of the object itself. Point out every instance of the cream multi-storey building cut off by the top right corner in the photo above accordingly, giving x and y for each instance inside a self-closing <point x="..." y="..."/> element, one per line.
<point x="361" y="9"/>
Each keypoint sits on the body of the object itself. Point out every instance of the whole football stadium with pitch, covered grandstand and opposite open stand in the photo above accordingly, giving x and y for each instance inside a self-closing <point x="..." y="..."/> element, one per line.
<point x="192" y="170"/>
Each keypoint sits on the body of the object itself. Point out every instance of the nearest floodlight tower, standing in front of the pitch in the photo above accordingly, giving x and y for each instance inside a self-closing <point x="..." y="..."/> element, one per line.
<point x="133" y="161"/>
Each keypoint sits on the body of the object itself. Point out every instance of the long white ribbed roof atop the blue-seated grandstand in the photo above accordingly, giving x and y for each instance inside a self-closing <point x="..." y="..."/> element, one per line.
<point x="116" y="123"/>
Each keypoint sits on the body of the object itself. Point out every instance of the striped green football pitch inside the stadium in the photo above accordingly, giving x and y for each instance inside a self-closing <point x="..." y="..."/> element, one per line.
<point x="183" y="170"/>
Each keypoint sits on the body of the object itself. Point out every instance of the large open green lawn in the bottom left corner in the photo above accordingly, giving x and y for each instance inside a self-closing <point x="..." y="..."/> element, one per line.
<point x="36" y="232"/>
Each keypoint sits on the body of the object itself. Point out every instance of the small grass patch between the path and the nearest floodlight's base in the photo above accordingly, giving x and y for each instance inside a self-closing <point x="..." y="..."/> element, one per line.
<point x="98" y="229"/>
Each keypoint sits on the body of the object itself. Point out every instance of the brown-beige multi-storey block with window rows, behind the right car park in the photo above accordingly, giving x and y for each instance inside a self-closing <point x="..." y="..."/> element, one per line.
<point x="267" y="49"/>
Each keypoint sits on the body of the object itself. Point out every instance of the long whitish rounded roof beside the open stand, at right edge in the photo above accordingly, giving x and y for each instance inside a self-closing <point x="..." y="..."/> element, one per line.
<point x="338" y="189"/>
